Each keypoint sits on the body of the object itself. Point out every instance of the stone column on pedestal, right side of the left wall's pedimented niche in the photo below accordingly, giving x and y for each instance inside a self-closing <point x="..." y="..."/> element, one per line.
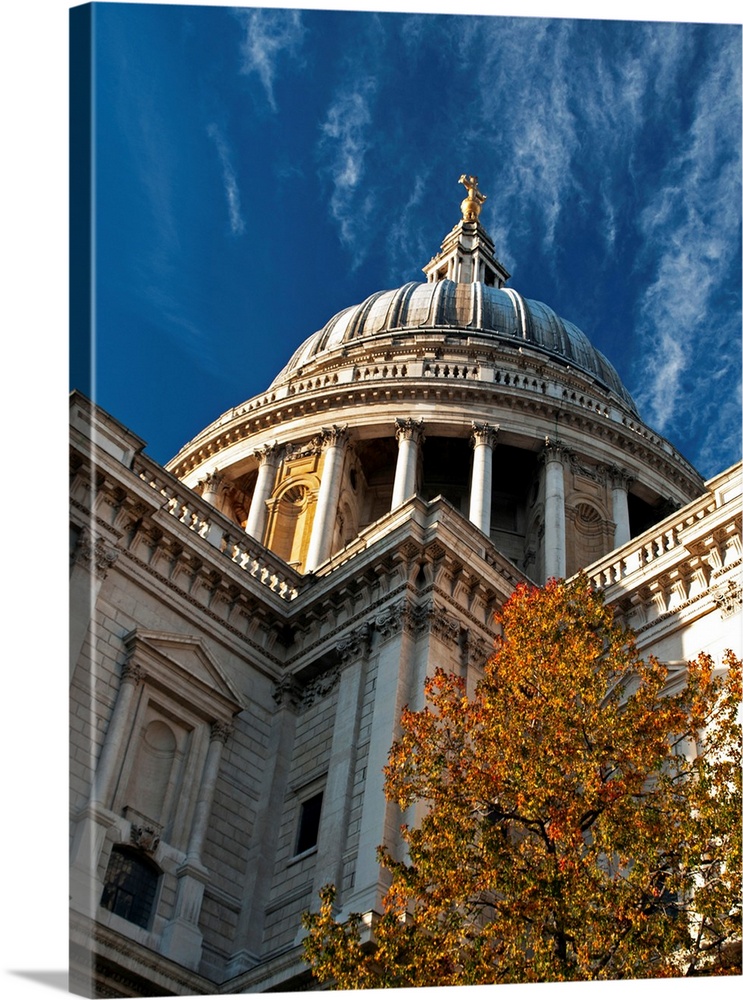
<point x="182" y="939"/>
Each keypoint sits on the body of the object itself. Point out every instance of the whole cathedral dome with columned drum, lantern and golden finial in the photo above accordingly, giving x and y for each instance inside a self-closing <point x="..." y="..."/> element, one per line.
<point x="453" y="387"/>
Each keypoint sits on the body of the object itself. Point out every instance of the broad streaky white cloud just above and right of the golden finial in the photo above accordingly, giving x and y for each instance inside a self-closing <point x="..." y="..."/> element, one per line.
<point x="565" y="105"/>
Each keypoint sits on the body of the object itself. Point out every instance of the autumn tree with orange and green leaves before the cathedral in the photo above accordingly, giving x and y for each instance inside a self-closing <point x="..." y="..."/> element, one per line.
<point x="571" y="820"/>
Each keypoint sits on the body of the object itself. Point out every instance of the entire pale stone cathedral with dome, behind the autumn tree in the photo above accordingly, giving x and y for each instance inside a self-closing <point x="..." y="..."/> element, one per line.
<point x="248" y="622"/>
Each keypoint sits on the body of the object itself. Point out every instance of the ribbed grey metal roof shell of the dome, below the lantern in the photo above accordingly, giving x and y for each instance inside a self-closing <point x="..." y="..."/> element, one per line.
<point x="500" y="315"/>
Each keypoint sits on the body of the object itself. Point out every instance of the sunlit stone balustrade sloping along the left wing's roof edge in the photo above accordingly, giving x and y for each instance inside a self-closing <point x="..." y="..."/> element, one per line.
<point x="200" y="517"/>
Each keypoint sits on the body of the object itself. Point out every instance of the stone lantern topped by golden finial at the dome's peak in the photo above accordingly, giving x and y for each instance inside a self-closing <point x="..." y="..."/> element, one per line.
<point x="467" y="253"/>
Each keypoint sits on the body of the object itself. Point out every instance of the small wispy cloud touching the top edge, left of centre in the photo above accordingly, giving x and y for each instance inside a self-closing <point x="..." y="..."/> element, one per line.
<point x="270" y="35"/>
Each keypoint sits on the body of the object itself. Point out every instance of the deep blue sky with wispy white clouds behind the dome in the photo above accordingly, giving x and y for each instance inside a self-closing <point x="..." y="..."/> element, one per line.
<point x="259" y="169"/>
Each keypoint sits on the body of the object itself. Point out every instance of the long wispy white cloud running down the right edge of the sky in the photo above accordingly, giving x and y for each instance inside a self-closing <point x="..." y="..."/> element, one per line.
<point x="693" y="224"/>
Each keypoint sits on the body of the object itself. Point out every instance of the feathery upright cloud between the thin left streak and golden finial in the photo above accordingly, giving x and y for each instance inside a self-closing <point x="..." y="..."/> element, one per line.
<point x="345" y="136"/>
